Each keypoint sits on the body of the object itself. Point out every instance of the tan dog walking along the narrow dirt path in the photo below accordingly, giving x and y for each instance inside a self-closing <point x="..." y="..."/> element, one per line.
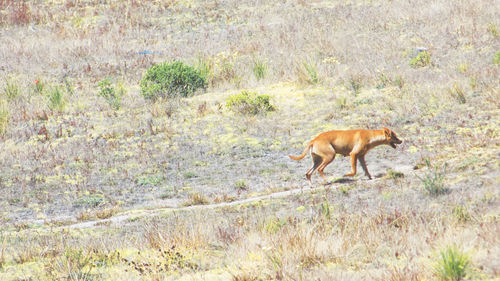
<point x="355" y="143"/>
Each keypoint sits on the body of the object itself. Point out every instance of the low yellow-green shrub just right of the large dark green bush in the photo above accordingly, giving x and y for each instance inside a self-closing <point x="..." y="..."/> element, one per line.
<point x="250" y="103"/>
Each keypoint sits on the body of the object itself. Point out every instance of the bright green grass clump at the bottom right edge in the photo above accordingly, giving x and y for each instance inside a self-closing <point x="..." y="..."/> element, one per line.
<point x="452" y="265"/>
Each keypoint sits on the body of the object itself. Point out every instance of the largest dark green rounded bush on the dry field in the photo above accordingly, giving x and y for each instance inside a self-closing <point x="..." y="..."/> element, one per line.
<point x="171" y="80"/>
